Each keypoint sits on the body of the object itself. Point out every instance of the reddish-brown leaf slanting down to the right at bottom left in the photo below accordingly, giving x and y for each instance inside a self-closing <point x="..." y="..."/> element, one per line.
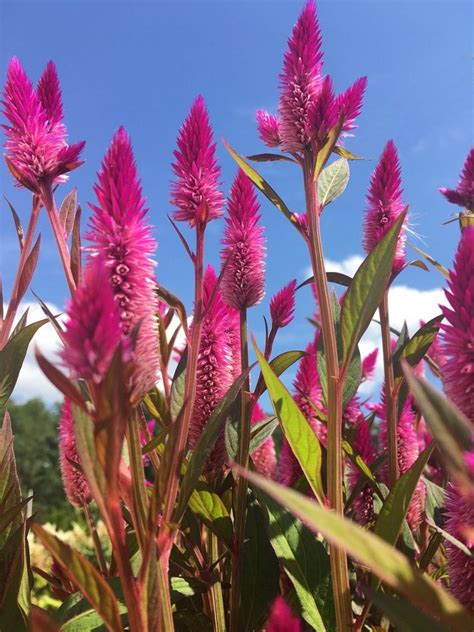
<point x="83" y="575"/>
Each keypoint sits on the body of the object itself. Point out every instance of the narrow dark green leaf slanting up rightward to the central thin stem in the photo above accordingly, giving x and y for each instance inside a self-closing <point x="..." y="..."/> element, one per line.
<point x="205" y="445"/>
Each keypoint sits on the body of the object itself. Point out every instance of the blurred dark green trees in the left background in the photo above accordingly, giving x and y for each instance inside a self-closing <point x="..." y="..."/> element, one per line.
<point x="35" y="428"/>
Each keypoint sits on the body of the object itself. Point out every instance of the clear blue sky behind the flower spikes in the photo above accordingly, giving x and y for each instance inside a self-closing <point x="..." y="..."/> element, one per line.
<point x="141" y="64"/>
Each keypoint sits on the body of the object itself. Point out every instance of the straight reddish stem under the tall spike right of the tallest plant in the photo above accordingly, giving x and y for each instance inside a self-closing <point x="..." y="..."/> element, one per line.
<point x="390" y="398"/>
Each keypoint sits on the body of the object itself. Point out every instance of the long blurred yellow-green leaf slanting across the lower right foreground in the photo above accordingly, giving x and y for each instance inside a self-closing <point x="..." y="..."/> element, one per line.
<point x="391" y="566"/>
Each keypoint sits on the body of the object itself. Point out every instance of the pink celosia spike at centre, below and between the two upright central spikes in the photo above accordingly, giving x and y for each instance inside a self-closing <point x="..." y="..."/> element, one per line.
<point x="214" y="368"/>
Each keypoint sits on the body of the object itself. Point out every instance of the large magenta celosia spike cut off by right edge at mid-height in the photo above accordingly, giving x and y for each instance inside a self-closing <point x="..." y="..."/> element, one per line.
<point x="457" y="330"/>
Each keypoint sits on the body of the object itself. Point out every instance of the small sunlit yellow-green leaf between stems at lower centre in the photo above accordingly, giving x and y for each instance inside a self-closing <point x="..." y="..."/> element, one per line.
<point x="210" y="509"/>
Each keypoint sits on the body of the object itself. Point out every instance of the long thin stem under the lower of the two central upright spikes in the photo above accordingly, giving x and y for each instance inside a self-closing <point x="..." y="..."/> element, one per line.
<point x="242" y="484"/>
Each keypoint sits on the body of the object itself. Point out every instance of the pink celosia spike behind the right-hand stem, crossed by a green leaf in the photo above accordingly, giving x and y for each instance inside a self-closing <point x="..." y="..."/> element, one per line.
<point x="407" y="453"/>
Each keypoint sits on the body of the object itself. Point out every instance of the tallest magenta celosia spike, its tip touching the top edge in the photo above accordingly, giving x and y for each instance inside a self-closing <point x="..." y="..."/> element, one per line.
<point x="300" y="81"/>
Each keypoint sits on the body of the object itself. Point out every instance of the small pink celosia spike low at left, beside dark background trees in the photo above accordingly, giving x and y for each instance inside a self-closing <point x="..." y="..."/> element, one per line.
<point x="75" y="485"/>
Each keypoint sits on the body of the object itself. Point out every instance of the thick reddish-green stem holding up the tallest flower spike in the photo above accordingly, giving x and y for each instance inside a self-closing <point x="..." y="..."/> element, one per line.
<point x="338" y="557"/>
